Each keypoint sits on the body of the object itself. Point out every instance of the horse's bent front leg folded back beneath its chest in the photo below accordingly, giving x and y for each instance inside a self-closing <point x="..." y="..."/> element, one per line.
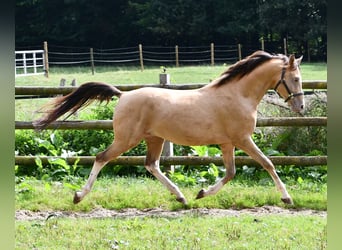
<point x="228" y="159"/>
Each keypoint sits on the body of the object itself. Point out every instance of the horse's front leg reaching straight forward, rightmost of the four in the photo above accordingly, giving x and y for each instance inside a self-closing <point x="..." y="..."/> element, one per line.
<point x="251" y="149"/>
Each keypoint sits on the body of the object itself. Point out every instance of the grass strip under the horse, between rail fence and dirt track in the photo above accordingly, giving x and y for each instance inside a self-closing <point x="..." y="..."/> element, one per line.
<point x="143" y="193"/>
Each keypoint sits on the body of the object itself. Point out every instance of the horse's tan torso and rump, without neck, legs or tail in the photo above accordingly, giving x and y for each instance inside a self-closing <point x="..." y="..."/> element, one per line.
<point x="184" y="117"/>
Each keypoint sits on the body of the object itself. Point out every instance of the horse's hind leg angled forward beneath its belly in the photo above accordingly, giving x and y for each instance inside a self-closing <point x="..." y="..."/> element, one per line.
<point x="154" y="149"/>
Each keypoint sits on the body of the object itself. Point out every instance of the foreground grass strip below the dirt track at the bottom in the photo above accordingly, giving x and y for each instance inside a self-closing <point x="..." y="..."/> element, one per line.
<point x="184" y="232"/>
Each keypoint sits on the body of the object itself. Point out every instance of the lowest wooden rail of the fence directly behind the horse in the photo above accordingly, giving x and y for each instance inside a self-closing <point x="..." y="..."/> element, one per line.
<point x="180" y="160"/>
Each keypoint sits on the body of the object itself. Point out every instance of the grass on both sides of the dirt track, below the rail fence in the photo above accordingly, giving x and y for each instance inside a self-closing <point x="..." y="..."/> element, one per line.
<point x="192" y="231"/>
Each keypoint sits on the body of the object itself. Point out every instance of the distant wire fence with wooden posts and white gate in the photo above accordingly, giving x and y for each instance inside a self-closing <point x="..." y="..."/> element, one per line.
<point x="139" y="55"/>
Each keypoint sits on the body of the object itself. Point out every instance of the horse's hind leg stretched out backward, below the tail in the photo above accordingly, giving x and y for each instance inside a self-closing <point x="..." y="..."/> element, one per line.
<point x="114" y="150"/>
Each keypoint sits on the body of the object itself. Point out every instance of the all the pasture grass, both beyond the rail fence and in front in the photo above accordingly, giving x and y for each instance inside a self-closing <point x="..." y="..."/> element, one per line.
<point x="201" y="232"/>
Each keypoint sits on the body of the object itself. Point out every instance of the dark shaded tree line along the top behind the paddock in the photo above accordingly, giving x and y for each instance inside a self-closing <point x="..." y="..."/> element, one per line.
<point x="122" y="23"/>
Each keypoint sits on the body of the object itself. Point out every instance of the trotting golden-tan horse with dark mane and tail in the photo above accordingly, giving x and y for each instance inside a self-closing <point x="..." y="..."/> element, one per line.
<point x="223" y="112"/>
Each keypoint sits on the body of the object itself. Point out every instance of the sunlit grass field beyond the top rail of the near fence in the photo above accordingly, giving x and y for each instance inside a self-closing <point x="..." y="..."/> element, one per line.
<point x="133" y="75"/>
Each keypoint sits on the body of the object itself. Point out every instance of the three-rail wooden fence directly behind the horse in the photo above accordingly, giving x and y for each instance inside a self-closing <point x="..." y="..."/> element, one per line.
<point x="31" y="92"/>
